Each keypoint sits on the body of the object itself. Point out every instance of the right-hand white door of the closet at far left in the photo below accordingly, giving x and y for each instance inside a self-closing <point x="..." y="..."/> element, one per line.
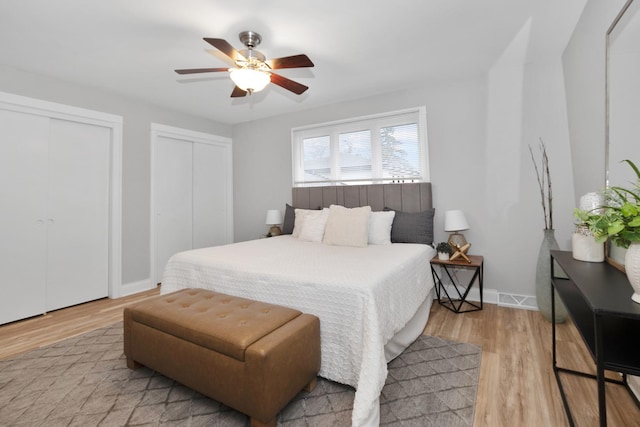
<point x="78" y="213"/>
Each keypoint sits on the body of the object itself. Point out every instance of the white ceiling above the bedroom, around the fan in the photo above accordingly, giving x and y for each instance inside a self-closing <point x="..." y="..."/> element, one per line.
<point x="359" y="47"/>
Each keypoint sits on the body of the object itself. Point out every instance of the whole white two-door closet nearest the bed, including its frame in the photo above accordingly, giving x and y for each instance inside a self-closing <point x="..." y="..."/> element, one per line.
<point x="192" y="204"/>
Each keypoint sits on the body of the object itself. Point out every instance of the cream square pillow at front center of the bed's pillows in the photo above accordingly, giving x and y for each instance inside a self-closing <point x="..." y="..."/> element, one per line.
<point x="347" y="226"/>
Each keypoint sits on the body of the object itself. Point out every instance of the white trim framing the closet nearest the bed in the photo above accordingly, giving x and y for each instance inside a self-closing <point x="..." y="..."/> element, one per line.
<point x="158" y="130"/>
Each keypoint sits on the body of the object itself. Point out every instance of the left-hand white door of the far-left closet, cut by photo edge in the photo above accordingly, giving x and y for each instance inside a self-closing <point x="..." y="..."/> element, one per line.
<point x="23" y="176"/>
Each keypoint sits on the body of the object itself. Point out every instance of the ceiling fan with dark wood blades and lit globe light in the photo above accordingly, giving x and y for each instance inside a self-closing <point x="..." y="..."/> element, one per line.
<point x="251" y="71"/>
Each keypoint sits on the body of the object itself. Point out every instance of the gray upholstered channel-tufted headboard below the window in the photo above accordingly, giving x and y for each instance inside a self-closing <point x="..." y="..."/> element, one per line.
<point x="411" y="197"/>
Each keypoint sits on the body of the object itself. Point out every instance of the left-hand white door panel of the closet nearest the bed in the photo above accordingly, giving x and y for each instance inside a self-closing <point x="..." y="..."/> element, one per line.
<point x="173" y="194"/>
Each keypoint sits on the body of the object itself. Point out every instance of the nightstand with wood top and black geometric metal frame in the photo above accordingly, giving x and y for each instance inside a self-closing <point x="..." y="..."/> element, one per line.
<point x="455" y="297"/>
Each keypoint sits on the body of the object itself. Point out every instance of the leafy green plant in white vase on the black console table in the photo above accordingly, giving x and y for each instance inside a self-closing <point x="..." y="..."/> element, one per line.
<point x="619" y="220"/>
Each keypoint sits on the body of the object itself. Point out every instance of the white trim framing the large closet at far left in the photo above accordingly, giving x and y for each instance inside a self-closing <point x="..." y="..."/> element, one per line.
<point x="18" y="103"/>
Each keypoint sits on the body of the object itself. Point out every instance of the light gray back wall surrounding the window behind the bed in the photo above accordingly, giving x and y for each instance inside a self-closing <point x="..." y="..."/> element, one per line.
<point x="494" y="185"/>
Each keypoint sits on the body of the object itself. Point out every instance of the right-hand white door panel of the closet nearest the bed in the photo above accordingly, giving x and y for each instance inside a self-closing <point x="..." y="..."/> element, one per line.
<point x="210" y="194"/>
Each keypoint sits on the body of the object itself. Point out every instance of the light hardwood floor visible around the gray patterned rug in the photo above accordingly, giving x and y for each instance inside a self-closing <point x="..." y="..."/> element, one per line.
<point x="516" y="388"/>
